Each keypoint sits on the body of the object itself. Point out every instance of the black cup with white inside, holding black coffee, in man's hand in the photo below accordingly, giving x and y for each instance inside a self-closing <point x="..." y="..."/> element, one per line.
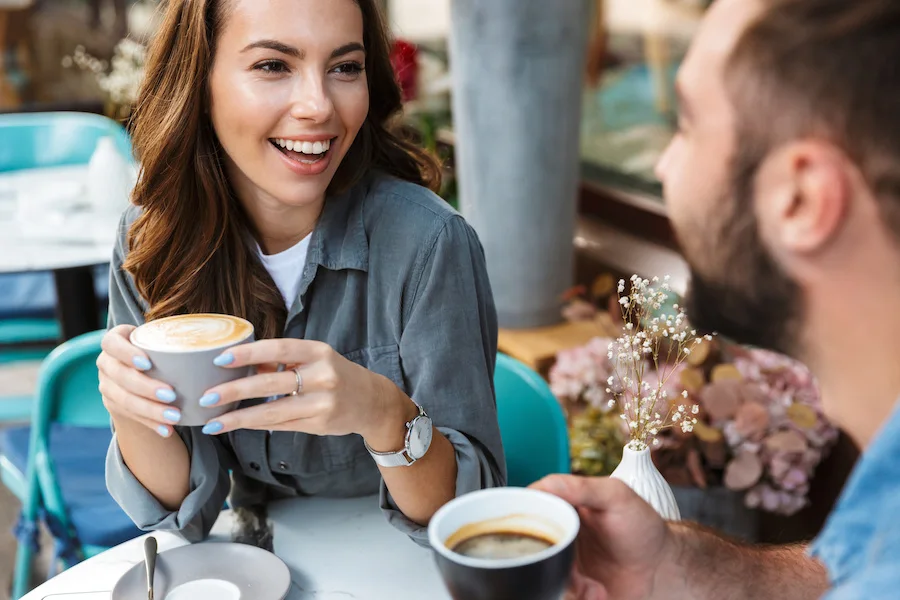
<point x="542" y="575"/>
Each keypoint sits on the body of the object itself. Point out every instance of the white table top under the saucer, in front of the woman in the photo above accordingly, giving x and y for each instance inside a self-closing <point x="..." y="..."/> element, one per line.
<point x="335" y="549"/>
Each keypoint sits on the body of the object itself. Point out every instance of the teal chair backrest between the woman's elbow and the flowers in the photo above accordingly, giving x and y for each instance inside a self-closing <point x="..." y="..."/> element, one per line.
<point x="532" y="423"/>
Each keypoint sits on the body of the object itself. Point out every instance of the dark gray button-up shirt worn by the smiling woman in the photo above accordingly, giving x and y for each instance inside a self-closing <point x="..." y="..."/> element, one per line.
<point x="395" y="280"/>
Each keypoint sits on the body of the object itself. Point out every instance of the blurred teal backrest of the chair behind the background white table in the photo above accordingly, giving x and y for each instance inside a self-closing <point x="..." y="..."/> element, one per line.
<point x="55" y="139"/>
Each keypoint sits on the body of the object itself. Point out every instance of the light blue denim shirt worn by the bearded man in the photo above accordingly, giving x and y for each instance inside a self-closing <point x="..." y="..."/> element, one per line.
<point x="860" y="544"/>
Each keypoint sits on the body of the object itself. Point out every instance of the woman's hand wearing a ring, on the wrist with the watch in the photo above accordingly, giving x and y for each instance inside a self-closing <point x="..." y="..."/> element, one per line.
<point x="337" y="396"/>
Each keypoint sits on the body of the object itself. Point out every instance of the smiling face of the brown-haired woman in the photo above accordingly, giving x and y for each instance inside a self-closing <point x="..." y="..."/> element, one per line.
<point x="288" y="94"/>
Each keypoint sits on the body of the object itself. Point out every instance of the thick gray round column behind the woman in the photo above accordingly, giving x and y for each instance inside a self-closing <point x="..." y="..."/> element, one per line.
<point x="518" y="67"/>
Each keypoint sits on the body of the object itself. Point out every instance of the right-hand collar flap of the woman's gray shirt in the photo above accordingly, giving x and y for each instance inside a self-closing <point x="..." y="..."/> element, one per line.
<point x="339" y="240"/>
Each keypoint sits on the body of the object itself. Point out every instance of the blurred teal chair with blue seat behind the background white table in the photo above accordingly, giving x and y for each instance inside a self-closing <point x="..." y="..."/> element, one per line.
<point x="39" y="140"/>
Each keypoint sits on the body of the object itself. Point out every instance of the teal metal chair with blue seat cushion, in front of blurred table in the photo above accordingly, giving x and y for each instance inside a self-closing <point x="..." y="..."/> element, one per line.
<point x="56" y="467"/>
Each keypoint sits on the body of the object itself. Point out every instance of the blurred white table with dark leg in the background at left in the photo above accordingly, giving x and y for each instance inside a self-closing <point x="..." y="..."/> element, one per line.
<point x="47" y="225"/>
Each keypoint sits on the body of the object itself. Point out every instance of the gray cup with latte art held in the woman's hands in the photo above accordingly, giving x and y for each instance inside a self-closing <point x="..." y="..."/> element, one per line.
<point x="181" y="350"/>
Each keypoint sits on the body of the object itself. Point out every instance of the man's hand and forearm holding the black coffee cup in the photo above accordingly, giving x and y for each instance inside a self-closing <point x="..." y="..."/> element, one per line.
<point x="626" y="551"/>
